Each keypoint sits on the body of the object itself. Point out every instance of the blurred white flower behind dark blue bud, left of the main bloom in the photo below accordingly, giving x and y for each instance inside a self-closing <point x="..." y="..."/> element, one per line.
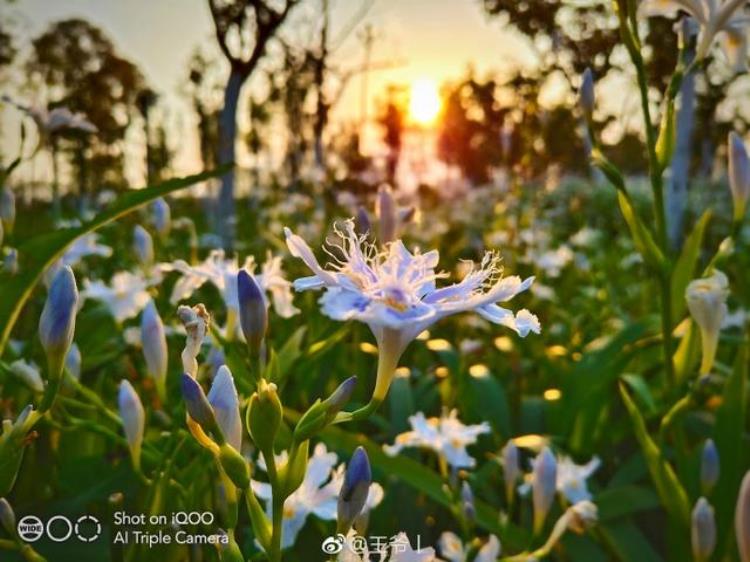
<point x="222" y="273"/>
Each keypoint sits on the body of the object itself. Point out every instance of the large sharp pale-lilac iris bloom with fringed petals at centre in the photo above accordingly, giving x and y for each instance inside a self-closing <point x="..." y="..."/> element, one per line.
<point x="395" y="293"/>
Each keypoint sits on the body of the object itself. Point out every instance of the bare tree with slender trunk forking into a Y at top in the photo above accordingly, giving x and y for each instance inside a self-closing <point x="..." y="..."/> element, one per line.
<point x="243" y="30"/>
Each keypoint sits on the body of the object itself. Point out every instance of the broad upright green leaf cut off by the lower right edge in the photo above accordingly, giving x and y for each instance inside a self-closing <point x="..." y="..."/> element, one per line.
<point x="728" y="433"/>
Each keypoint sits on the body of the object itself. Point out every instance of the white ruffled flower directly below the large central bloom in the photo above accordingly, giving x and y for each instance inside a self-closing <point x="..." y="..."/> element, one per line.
<point x="446" y="435"/>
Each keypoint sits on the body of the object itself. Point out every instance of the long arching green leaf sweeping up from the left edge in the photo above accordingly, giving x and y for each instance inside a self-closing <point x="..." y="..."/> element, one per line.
<point x="37" y="254"/>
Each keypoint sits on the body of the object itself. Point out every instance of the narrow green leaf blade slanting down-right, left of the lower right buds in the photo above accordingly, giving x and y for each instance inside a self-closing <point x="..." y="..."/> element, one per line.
<point x="672" y="494"/>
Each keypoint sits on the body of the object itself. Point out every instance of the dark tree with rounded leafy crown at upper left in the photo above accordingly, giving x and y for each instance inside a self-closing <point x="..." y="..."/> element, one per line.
<point x="76" y="65"/>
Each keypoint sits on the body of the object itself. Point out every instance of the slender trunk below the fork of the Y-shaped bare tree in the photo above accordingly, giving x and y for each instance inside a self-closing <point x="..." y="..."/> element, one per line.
<point x="227" y="134"/>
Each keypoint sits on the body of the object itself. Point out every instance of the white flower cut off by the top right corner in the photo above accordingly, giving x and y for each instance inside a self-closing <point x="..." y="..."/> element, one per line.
<point x="723" y="18"/>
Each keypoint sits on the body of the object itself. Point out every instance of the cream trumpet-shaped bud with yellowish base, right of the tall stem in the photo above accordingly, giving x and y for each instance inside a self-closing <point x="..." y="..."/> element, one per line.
<point x="706" y="300"/>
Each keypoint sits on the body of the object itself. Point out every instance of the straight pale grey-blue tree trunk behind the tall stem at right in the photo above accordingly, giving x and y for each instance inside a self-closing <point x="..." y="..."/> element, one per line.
<point x="678" y="186"/>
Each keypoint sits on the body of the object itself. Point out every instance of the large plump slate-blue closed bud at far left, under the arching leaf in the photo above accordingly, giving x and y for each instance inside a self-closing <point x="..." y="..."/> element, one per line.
<point x="58" y="320"/>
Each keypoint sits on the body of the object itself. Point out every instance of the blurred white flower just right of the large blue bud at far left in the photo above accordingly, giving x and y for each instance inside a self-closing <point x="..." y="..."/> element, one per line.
<point x="125" y="296"/>
